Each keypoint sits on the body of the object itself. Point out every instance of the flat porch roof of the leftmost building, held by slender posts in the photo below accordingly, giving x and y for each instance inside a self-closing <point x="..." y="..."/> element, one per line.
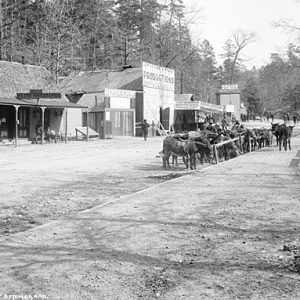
<point x="50" y="103"/>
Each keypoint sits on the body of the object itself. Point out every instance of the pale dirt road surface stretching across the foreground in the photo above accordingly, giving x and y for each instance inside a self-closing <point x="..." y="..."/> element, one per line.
<point x="103" y="220"/>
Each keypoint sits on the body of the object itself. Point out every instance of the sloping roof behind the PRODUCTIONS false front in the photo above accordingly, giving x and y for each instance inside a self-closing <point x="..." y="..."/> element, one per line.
<point x="97" y="81"/>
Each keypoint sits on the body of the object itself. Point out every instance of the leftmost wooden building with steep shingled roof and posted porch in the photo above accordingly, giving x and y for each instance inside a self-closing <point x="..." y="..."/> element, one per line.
<point x="28" y="97"/>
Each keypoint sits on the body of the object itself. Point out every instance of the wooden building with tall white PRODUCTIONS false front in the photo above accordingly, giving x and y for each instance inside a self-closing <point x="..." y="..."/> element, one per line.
<point x="152" y="85"/>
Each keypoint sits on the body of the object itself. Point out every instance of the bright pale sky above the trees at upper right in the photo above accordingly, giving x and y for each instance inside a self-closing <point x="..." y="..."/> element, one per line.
<point x="218" y="19"/>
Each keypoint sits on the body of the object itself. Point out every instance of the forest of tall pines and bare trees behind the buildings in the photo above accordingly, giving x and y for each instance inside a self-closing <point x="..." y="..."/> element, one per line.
<point x="68" y="36"/>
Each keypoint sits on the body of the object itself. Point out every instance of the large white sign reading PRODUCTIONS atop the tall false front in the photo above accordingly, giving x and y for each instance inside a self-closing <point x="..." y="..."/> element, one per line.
<point x="158" y="77"/>
